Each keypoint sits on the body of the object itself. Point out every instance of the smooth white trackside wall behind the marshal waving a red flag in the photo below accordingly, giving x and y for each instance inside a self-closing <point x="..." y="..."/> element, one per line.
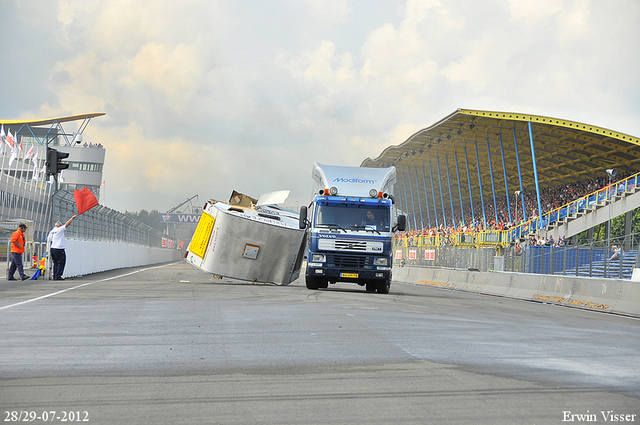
<point x="86" y="257"/>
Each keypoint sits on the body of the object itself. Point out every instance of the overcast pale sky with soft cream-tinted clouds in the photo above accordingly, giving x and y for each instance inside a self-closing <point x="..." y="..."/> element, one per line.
<point x="205" y="96"/>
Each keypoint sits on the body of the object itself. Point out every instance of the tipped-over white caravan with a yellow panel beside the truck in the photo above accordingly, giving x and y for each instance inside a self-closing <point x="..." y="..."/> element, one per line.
<point x="261" y="243"/>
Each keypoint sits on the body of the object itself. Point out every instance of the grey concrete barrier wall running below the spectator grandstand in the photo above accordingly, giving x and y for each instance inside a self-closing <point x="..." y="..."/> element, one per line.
<point x="610" y="295"/>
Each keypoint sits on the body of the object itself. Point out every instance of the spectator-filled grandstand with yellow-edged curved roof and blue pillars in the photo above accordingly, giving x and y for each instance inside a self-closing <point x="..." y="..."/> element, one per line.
<point x="516" y="184"/>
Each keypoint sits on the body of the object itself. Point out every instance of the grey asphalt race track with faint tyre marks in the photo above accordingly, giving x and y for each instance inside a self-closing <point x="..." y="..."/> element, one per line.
<point x="170" y="344"/>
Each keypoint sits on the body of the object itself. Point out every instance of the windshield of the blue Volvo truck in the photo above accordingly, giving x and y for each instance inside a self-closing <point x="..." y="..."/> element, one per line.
<point x="353" y="216"/>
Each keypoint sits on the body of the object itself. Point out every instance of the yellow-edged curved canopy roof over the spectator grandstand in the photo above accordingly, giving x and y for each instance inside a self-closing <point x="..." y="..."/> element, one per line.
<point x="507" y="148"/>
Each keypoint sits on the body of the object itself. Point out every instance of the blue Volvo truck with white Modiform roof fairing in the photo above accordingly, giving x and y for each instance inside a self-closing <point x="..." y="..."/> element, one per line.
<point x="350" y="225"/>
